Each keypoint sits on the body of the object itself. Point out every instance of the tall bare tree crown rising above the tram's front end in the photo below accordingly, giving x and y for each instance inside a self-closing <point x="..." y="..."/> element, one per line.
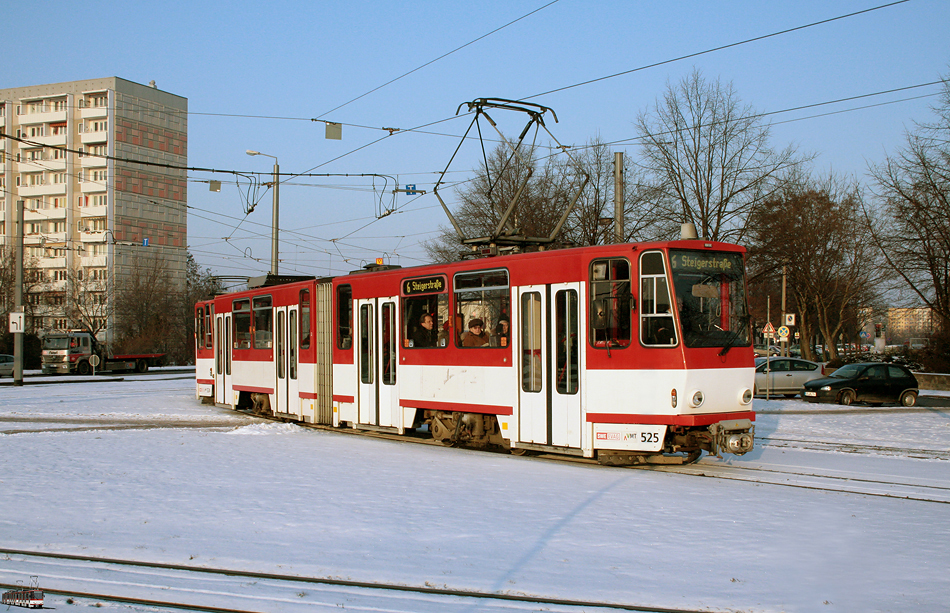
<point x="710" y="157"/>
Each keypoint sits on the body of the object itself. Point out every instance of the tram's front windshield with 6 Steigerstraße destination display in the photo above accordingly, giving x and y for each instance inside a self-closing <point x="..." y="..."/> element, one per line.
<point x="710" y="295"/>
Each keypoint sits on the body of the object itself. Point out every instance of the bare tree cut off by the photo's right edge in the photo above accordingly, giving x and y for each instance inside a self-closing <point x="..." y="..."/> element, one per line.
<point x="913" y="217"/>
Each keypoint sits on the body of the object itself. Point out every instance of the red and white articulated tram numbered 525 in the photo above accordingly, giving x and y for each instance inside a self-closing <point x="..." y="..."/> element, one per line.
<point x="631" y="353"/>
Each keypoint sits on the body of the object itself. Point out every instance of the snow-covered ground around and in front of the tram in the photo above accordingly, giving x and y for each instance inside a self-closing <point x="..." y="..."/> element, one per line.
<point x="138" y="469"/>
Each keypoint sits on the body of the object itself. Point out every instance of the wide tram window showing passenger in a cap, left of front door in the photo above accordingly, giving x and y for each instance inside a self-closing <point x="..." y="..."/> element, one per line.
<point x="485" y="296"/>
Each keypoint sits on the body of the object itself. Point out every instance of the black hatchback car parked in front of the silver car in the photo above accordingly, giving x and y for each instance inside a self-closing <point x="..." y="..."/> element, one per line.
<point x="873" y="383"/>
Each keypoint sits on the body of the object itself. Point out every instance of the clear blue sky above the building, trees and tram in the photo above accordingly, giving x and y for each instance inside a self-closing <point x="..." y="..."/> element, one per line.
<point x="242" y="64"/>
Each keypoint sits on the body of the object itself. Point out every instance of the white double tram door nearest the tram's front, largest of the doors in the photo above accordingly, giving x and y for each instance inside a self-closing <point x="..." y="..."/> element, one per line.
<point x="549" y="346"/>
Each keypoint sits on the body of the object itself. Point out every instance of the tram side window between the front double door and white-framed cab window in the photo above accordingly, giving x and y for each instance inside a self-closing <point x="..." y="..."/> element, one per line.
<point x="610" y="303"/>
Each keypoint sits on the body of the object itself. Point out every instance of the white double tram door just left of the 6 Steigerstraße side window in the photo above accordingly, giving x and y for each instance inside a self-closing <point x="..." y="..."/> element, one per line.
<point x="376" y="362"/>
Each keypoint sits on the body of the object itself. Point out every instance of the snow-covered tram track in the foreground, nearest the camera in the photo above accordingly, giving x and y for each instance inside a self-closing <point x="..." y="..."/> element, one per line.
<point x="138" y="582"/>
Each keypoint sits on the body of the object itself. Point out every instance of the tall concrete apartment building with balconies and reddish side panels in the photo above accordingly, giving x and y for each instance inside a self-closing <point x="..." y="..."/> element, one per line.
<point x="93" y="215"/>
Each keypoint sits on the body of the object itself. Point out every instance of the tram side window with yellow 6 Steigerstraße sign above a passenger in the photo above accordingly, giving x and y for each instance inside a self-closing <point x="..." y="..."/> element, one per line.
<point x="425" y="312"/>
